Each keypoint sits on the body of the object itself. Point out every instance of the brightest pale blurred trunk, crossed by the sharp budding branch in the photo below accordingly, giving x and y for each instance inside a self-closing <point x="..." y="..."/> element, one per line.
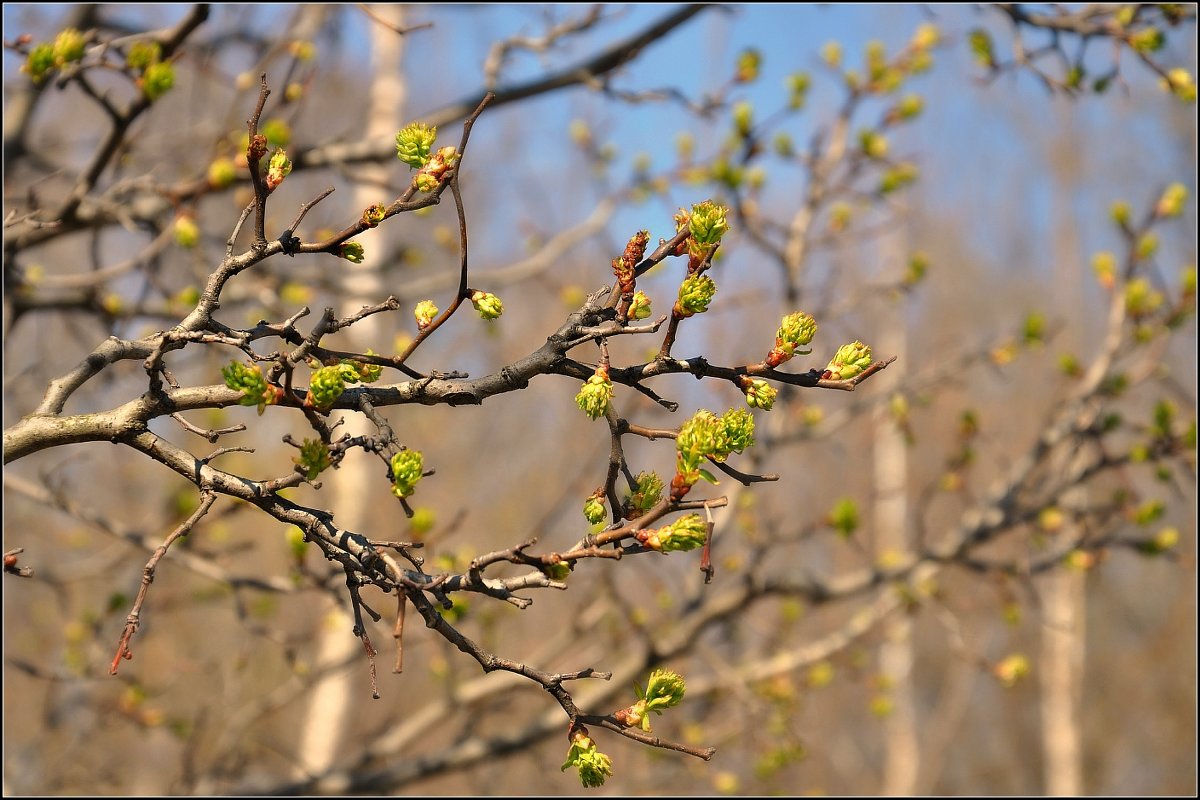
<point x="355" y="485"/>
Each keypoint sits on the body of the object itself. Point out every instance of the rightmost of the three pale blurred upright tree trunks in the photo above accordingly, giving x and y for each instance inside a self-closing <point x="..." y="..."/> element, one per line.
<point x="1063" y="593"/>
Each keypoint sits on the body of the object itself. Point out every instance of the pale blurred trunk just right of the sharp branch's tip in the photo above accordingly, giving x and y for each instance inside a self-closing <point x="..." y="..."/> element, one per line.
<point x="902" y="745"/>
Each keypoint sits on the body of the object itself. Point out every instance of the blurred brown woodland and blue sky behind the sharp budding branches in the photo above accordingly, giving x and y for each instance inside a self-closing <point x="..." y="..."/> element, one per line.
<point x="969" y="580"/>
